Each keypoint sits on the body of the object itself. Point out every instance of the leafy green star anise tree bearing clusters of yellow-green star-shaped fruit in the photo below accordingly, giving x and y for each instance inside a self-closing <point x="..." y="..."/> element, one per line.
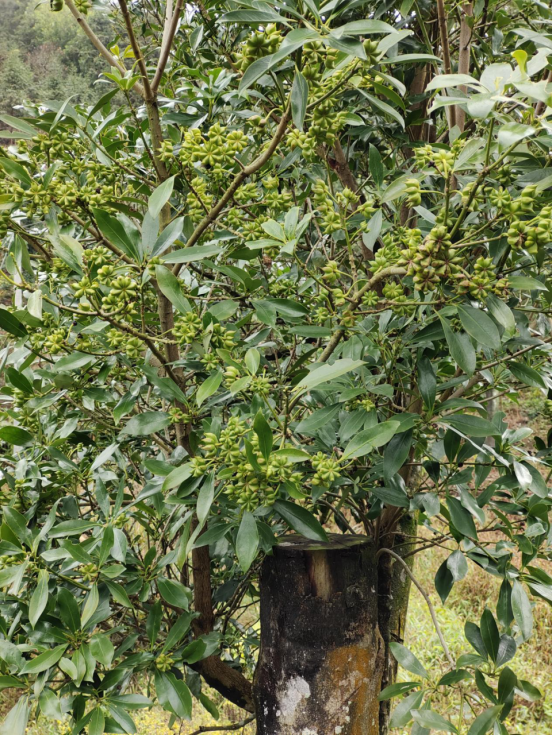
<point x="277" y="288"/>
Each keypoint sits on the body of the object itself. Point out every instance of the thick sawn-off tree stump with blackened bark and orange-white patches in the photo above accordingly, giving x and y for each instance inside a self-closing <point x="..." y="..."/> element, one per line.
<point x="322" y="655"/>
